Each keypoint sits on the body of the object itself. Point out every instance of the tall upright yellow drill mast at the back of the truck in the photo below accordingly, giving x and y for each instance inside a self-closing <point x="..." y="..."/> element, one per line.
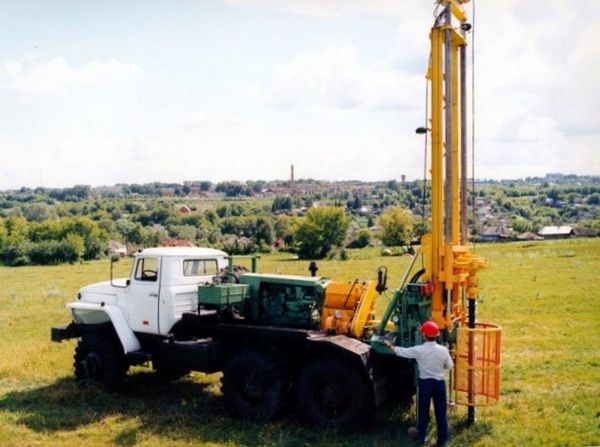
<point x="449" y="265"/>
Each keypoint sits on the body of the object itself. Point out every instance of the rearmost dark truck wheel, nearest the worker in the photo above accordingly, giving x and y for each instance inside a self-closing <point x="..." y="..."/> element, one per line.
<point x="331" y="394"/>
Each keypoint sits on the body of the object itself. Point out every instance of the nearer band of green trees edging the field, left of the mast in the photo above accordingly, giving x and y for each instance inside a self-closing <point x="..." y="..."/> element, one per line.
<point x="38" y="235"/>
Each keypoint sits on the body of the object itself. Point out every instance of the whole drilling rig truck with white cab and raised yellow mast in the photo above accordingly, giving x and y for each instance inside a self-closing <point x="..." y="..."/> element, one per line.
<point x="306" y="341"/>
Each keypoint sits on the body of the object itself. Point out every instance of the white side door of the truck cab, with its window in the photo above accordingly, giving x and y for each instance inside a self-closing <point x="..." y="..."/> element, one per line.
<point x="142" y="301"/>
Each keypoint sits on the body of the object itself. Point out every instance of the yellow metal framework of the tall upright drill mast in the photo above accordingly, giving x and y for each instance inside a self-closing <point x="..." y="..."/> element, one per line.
<point x="448" y="264"/>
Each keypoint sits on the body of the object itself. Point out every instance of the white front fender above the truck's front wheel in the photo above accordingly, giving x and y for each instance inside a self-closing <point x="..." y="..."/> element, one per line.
<point x="92" y="313"/>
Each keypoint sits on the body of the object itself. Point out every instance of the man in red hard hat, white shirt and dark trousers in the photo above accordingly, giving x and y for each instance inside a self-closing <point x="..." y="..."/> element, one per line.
<point x="433" y="359"/>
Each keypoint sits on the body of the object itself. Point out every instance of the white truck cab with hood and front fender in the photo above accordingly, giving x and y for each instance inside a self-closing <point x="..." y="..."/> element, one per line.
<point x="163" y="285"/>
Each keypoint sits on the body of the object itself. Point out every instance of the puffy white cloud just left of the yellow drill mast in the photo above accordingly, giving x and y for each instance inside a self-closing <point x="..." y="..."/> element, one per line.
<point x="334" y="77"/>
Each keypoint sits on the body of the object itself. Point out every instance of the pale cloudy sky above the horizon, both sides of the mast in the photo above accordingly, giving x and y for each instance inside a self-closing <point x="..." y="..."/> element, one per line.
<point x="132" y="91"/>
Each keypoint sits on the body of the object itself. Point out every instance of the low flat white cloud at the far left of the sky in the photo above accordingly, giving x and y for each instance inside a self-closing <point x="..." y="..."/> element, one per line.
<point x="32" y="77"/>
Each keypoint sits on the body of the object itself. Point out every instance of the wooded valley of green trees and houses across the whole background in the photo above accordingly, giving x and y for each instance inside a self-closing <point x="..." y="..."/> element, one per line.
<point x="47" y="226"/>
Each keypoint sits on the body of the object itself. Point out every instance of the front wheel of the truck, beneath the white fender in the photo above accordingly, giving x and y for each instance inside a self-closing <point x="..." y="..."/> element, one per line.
<point x="99" y="359"/>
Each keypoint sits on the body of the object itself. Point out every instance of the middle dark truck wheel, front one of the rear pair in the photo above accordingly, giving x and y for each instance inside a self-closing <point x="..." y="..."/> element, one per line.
<point x="253" y="386"/>
